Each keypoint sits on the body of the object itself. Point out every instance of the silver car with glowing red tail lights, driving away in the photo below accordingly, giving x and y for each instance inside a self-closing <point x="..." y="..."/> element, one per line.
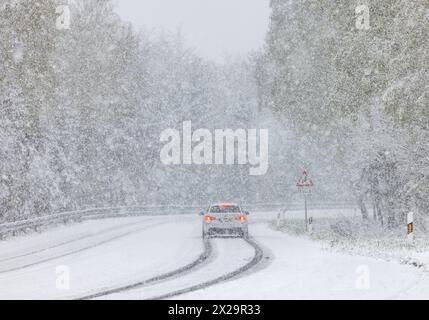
<point x="225" y="219"/>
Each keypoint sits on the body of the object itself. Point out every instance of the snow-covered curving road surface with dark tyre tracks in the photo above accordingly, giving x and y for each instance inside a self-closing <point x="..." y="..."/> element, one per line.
<point x="116" y="257"/>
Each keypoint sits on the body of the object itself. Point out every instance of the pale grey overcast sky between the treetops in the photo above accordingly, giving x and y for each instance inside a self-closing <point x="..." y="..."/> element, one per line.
<point x="215" y="28"/>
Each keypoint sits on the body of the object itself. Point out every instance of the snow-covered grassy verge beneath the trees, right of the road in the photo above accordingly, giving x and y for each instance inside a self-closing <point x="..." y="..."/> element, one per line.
<point x="349" y="233"/>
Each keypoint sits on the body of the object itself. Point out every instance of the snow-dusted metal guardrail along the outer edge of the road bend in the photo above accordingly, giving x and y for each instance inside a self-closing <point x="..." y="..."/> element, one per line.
<point x="108" y="212"/>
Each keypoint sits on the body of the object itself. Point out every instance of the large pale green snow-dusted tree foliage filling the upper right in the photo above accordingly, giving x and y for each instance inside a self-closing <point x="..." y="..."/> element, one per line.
<point x="360" y="90"/>
